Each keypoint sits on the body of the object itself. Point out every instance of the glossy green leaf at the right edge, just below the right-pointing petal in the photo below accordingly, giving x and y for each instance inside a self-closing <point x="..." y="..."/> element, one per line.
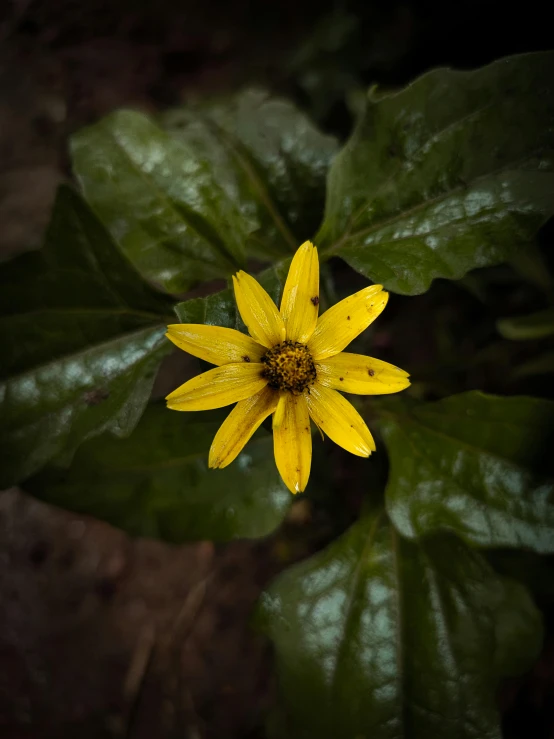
<point x="478" y="465"/>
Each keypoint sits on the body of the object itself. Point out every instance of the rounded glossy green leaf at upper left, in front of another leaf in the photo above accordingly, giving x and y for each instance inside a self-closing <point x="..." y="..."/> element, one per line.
<point x="159" y="200"/>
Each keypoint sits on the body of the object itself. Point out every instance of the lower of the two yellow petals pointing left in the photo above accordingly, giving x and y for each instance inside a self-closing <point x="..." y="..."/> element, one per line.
<point x="218" y="387"/>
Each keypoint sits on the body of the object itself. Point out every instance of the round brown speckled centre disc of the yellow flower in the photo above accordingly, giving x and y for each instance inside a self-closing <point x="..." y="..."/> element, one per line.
<point x="289" y="366"/>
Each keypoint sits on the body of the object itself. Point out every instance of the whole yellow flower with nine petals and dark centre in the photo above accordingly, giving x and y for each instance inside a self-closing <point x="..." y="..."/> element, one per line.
<point x="291" y="365"/>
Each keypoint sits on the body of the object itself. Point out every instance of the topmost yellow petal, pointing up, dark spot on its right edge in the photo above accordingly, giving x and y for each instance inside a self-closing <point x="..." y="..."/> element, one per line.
<point x="300" y="302"/>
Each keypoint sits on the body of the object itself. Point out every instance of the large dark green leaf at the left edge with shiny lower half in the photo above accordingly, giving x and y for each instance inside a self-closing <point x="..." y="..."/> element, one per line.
<point x="82" y="336"/>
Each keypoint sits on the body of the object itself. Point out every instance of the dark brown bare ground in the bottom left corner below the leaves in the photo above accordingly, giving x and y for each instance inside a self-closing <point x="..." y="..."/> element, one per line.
<point x="105" y="636"/>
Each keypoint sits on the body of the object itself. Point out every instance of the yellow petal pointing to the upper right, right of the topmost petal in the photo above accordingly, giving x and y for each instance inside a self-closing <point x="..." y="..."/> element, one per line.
<point x="340" y="325"/>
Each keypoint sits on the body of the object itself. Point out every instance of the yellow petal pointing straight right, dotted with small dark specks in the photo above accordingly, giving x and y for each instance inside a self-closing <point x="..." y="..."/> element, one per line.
<point x="355" y="373"/>
